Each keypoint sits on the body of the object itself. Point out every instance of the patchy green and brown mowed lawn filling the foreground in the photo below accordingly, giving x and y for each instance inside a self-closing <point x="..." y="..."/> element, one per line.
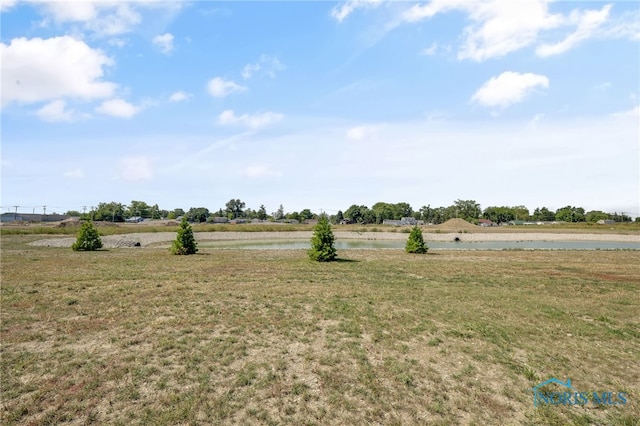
<point x="138" y="336"/>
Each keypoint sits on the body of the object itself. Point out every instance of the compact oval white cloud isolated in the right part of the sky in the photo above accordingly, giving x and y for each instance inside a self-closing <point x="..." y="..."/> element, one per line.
<point x="508" y="88"/>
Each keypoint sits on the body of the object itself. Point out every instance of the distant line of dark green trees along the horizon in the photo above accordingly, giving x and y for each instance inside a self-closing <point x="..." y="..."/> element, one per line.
<point x="468" y="210"/>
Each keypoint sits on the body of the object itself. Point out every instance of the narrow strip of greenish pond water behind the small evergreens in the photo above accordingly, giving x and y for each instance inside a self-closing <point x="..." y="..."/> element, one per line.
<point x="433" y="245"/>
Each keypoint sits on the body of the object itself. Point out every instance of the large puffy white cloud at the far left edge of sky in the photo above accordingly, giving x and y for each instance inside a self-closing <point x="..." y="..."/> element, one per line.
<point x="35" y="70"/>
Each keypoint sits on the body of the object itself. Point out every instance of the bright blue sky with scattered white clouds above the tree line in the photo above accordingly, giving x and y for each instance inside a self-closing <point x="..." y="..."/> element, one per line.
<point x="319" y="104"/>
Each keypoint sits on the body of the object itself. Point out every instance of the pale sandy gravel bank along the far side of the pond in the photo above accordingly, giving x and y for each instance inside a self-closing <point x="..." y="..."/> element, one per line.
<point x="149" y="239"/>
